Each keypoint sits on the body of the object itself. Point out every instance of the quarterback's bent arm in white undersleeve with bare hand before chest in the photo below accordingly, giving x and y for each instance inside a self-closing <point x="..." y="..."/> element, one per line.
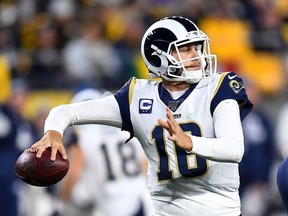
<point x="227" y="146"/>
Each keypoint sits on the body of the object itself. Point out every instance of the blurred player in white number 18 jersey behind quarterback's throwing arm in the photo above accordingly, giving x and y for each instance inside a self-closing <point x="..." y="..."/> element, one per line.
<point x="107" y="176"/>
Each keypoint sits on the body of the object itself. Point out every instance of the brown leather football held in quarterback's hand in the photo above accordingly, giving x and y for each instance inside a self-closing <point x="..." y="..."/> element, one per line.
<point x="41" y="171"/>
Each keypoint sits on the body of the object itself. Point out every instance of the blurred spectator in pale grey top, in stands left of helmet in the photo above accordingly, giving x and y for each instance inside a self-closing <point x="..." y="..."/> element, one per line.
<point x="90" y="58"/>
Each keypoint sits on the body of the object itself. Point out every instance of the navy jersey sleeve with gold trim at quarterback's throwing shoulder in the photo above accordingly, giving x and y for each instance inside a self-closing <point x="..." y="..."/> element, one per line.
<point x="123" y="97"/>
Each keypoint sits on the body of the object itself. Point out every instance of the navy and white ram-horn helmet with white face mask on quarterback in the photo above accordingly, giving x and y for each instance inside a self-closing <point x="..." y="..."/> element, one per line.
<point x="169" y="34"/>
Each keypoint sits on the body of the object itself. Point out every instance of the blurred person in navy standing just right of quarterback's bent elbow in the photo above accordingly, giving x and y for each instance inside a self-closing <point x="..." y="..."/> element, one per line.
<point x="259" y="145"/>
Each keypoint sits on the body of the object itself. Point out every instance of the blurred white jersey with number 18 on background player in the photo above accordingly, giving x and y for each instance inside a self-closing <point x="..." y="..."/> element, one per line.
<point x="113" y="174"/>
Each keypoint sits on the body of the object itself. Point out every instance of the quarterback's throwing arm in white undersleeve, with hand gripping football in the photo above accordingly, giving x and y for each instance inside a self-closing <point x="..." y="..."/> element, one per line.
<point x="101" y="111"/>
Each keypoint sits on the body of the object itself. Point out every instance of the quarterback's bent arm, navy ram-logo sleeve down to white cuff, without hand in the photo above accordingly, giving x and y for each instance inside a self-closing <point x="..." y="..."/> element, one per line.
<point x="229" y="107"/>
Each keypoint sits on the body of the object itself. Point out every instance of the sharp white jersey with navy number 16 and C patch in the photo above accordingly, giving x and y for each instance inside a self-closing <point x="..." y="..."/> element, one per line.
<point x="183" y="183"/>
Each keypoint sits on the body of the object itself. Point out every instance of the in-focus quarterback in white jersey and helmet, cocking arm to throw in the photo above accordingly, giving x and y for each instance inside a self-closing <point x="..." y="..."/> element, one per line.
<point x="188" y="122"/>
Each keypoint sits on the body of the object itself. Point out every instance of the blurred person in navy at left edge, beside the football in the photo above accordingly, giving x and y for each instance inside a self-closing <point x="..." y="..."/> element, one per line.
<point x="16" y="134"/>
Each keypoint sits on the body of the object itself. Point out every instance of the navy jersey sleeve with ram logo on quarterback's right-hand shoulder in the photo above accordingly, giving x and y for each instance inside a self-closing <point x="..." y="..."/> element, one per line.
<point x="231" y="87"/>
